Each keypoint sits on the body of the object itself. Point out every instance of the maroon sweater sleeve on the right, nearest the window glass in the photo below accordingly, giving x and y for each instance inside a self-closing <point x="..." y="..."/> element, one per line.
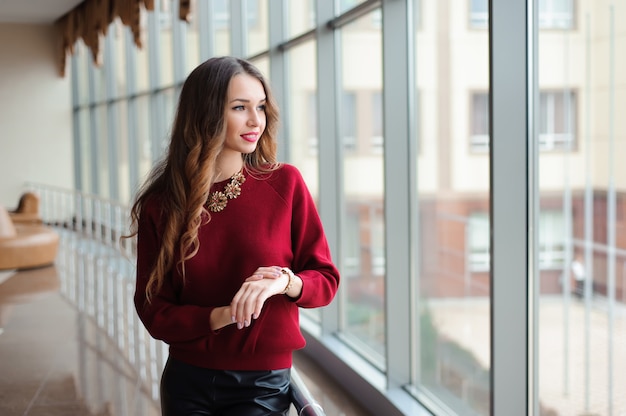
<point x="312" y="259"/>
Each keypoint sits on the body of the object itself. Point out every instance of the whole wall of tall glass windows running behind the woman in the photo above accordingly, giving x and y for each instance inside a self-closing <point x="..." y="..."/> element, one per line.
<point x="581" y="197"/>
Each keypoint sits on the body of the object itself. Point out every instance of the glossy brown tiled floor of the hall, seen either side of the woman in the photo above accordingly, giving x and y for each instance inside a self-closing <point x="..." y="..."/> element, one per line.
<point x="57" y="360"/>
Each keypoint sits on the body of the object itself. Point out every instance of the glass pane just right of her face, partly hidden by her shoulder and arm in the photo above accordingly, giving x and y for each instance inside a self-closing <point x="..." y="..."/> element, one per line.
<point x="302" y="134"/>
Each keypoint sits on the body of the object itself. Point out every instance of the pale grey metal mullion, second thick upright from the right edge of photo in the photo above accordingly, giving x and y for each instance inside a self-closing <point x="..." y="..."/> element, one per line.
<point x="399" y="172"/>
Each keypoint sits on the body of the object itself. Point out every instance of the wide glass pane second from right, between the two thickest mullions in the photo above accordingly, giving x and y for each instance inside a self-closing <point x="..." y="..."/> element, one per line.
<point x="452" y="132"/>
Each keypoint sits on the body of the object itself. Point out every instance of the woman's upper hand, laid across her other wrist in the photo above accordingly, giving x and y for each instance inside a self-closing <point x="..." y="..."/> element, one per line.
<point x="250" y="298"/>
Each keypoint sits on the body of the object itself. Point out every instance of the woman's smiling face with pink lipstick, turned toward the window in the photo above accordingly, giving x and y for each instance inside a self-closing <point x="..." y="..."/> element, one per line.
<point x="245" y="114"/>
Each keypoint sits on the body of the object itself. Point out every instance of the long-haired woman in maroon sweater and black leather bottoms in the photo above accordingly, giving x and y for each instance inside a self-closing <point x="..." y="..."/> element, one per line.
<point x="229" y="245"/>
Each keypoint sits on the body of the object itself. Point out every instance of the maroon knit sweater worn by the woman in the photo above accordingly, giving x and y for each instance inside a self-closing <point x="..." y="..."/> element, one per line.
<point x="273" y="222"/>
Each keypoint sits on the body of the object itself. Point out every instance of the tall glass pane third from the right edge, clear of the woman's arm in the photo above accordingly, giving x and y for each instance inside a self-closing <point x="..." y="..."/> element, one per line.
<point x="363" y="238"/>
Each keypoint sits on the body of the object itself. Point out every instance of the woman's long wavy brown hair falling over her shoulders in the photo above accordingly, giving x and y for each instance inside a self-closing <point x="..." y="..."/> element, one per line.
<point x="183" y="178"/>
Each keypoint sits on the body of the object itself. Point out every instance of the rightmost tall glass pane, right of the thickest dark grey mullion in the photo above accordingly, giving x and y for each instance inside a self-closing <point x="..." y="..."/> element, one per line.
<point x="582" y="202"/>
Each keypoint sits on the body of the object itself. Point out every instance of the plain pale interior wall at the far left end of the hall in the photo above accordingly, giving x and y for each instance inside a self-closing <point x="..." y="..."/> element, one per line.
<point x="35" y="112"/>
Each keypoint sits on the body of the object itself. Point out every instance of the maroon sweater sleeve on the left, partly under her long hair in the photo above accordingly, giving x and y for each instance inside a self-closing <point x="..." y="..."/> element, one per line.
<point x="164" y="317"/>
